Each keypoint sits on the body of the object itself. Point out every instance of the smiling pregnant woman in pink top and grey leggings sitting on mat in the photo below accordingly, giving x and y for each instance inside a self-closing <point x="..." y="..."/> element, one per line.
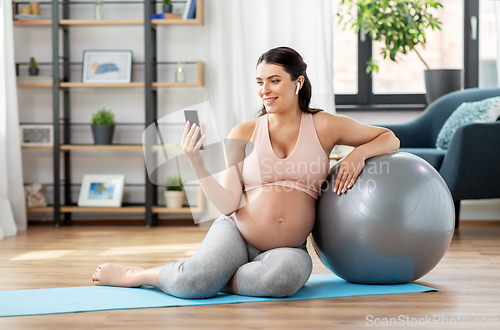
<point x="267" y="197"/>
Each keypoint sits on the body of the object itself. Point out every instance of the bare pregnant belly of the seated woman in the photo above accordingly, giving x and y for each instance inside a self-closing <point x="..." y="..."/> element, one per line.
<point x="276" y="216"/>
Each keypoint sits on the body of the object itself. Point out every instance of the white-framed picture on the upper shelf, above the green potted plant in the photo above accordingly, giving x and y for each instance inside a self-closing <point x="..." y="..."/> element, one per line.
<point x="107" y="66"/>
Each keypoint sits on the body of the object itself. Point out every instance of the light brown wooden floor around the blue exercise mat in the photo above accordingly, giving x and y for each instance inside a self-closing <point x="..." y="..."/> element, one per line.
<point x="43" y="257"/>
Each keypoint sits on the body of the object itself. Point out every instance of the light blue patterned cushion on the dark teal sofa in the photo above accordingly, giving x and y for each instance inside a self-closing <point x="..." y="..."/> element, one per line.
<point x="483" y="111"/>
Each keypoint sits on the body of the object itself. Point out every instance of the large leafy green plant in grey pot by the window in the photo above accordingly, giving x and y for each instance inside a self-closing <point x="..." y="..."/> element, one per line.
<point x="400" y="25"/>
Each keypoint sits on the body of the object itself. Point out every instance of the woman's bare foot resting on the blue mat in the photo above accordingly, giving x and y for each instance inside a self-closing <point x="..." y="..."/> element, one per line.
<point x="118" y="275"/>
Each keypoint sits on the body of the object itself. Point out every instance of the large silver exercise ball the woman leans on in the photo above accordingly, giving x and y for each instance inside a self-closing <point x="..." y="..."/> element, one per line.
<point x="393" y="226"/>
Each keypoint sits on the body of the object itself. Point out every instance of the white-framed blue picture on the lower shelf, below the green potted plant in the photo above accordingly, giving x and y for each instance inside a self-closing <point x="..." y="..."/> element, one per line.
<point x="101" y="190"/>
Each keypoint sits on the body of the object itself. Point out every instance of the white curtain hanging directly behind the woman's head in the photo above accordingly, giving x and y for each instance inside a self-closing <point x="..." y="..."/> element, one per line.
<point x="240" y="31"/>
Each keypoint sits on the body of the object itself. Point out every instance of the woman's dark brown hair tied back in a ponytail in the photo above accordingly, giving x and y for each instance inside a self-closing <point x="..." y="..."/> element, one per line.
<point x="294" y="65"/>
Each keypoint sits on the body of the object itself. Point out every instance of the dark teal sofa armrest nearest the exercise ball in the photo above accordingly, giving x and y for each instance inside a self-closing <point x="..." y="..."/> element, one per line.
<point x="471" y="167"/>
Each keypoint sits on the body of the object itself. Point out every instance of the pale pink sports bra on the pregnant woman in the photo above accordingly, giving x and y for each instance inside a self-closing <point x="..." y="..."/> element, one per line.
<point x="305" y="168"/>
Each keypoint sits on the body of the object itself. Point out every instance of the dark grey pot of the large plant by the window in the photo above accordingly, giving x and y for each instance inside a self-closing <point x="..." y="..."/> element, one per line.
<point x="441" y="82"/>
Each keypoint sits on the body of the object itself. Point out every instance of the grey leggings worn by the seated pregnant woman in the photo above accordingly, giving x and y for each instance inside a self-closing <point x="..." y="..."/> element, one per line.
<point x="277" y="272"/>
